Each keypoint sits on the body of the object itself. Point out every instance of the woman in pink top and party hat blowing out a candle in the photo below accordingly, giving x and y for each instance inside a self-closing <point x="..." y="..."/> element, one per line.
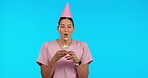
<point x="57" y="62"/>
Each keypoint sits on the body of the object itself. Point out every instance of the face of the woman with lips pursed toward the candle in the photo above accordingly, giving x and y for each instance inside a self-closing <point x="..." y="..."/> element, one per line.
<point x="65" y="28"/>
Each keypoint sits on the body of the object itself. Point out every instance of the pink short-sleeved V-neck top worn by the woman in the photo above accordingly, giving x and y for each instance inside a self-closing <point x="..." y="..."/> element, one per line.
<point x="64" y="68"/>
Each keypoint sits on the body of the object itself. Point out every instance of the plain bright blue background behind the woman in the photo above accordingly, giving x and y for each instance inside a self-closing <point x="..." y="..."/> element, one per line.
<point x="115" y="30"/>
